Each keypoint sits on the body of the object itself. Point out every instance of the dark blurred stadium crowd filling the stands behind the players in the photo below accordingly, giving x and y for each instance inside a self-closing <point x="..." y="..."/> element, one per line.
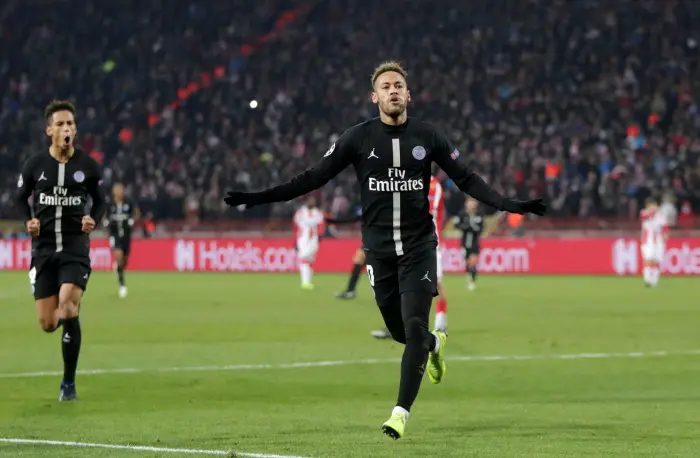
<point x="592" y="104"/>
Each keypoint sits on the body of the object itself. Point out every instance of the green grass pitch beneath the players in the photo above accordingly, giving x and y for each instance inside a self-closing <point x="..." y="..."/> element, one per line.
<point x="543" y="406"/>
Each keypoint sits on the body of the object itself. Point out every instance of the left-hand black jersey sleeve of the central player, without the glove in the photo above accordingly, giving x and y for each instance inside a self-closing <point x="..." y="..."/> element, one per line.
<point x="338" y="157"/>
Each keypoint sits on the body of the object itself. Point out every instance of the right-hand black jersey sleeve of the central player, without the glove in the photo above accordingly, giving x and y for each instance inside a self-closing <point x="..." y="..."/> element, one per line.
<point x="446" y="157"/>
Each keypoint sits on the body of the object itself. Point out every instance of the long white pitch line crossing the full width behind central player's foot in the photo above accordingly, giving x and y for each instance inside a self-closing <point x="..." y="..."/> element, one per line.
<point x="247" y="367"/>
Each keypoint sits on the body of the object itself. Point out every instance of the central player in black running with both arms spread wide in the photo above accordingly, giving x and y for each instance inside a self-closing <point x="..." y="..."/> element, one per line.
<point x="392" y="157"/>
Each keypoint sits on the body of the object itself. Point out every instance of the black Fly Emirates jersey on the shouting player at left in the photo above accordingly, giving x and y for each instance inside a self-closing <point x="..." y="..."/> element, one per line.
<point x="60" y="197"/>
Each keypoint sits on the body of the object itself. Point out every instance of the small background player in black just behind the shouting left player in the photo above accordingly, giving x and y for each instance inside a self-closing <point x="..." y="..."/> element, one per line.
<point x="123" y="214"/>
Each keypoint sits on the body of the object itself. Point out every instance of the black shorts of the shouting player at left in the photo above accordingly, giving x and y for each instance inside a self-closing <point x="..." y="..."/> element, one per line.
<point x="49" y="272"/>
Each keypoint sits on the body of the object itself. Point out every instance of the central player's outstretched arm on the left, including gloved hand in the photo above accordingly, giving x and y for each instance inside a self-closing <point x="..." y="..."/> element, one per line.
<point x="337" y="158"/>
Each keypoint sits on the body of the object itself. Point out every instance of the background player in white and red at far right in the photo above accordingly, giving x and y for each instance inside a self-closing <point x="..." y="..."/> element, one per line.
<point x="653" y="243"/>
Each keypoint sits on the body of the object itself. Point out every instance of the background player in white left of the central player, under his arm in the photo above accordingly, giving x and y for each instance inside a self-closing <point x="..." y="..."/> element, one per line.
<point x="308" y="222"/>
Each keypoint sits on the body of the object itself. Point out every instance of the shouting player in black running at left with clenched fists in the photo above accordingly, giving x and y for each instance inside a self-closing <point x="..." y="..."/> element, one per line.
<point x="61" y="180"/>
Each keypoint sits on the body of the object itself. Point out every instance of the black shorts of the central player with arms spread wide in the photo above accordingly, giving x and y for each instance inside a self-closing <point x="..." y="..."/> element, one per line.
<point x="390" y="276"/>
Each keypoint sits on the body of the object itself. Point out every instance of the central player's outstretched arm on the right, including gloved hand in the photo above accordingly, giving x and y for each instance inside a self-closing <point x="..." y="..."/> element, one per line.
<point x="447" y="157"/>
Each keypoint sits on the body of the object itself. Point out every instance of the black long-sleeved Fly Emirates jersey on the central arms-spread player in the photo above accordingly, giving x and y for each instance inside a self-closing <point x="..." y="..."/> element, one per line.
<point x="392" y="164"/>
